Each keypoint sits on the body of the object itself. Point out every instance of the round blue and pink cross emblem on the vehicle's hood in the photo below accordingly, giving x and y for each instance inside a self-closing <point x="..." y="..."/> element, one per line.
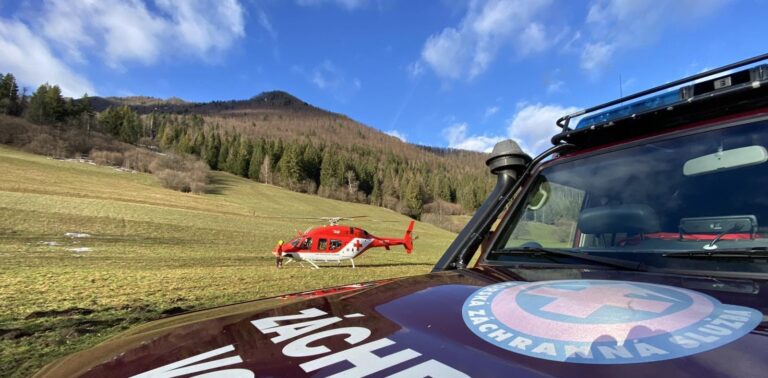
<point x="603" y="322"/>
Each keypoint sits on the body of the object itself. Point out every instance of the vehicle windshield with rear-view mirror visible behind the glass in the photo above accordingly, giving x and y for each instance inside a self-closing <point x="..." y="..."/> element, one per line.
<point x="700" y="193"/>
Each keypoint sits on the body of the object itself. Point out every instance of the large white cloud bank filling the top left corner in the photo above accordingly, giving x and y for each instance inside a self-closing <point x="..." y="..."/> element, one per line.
<point x="44" y="44"/>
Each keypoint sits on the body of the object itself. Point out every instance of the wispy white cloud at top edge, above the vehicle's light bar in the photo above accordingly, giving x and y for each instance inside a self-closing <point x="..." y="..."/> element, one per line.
<point x="616" y="25"/>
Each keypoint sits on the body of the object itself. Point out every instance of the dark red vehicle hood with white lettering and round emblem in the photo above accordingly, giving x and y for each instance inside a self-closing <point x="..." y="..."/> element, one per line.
<point x="425" y="326"/>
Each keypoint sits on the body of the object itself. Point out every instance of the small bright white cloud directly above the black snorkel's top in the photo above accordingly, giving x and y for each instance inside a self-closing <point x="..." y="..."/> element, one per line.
<point x="534" y="125"/>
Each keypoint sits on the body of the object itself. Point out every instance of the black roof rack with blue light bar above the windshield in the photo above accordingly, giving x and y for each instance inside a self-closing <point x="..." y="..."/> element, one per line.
<point x="710" y="95"/>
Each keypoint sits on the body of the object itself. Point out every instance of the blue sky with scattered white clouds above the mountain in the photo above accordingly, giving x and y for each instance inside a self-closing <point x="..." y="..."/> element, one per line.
<point x="463" y="74"/>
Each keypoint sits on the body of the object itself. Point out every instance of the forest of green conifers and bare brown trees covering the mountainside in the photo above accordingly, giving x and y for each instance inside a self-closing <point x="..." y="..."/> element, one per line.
<point x="273" y="138"/>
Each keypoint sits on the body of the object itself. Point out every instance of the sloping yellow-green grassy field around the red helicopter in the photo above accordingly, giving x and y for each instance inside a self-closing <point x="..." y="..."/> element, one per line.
<point x="153" y="252"/>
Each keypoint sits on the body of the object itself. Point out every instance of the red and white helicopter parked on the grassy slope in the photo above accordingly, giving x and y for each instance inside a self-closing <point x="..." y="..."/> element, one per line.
<point x="336" y="243"/>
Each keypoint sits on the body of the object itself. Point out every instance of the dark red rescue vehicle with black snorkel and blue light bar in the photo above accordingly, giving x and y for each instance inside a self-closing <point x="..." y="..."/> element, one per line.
<point x="637" y="246"/>
